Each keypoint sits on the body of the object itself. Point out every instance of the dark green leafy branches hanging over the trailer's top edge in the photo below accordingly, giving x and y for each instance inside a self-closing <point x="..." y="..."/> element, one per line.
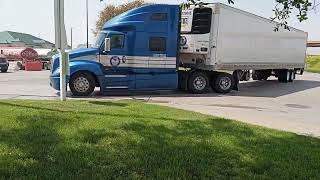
<point x="282" y="11"/>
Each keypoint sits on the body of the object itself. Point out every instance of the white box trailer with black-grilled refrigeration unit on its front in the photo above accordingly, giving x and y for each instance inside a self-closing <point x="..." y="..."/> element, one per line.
<point x="222" y="38"/>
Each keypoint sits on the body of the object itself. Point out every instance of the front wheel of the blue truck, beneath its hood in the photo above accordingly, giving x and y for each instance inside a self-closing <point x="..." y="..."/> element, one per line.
<point x="82" y="84"/>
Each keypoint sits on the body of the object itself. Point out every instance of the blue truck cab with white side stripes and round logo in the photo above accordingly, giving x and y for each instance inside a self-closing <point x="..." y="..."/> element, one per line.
<point x="142" y="54"/>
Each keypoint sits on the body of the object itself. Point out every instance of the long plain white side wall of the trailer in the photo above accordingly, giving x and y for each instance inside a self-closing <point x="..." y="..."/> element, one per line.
<point x="247" y="41"/>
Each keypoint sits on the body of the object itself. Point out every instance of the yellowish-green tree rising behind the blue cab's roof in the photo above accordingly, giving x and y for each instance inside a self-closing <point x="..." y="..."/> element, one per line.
<point x="111" y="11"/>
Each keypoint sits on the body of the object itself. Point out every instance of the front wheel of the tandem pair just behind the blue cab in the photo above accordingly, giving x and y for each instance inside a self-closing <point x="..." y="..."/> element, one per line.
<point x="198" y="83"/>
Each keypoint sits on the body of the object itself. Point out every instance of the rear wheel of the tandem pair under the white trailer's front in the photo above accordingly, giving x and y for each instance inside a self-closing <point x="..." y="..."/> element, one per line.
<point x="223" y="83"/>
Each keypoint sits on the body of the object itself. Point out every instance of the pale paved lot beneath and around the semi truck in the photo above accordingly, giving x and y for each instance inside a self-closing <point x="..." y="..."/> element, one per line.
<point x="293" y="107"/>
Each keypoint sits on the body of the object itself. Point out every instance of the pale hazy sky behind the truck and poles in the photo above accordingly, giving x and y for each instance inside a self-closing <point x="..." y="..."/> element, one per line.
<point x="36" y="16"/>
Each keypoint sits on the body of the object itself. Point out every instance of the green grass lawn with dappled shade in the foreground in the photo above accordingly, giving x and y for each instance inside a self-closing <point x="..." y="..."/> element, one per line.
<point x="111" y="140"/>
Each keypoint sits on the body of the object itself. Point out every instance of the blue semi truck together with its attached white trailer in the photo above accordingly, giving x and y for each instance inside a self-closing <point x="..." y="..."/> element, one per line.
<point x="162" y="47"/>
